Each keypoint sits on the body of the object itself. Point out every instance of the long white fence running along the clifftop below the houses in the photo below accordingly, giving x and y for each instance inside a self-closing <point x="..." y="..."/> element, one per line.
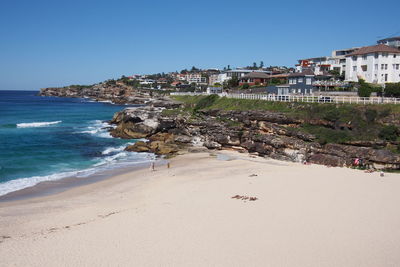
<point x="304" y="98"/>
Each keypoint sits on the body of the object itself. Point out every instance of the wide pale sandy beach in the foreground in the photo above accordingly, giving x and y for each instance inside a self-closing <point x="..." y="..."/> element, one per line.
<point x="303" y="215"/>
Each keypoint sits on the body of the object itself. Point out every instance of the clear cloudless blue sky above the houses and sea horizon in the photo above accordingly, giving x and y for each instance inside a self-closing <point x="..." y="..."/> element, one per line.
<point x="56" y="43"/>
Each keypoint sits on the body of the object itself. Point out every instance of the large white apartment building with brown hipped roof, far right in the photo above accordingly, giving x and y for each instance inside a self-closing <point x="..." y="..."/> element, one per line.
<point x="375" y="64"/>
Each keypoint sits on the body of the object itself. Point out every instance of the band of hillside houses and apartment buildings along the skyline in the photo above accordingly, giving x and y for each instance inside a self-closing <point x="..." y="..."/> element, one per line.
<point x="378" y="64"/>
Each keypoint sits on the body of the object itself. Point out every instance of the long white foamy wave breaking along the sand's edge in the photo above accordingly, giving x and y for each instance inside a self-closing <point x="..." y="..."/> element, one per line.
<point x="119" y="160"/>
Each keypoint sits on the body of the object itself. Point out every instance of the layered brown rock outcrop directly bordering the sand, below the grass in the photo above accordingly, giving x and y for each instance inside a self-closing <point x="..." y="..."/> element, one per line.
<point x="264" y="133"/>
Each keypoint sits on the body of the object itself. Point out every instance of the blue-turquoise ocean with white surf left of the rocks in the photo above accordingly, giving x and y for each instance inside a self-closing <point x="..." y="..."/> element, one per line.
<point x="49" y="138"/>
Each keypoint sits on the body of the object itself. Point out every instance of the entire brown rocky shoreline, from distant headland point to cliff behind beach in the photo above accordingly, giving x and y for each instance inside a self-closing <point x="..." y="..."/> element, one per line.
<point x="269" y="133"/>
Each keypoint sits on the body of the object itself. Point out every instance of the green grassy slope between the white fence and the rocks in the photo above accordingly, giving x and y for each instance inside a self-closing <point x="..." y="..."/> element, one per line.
<point x="351" y="122"/>
